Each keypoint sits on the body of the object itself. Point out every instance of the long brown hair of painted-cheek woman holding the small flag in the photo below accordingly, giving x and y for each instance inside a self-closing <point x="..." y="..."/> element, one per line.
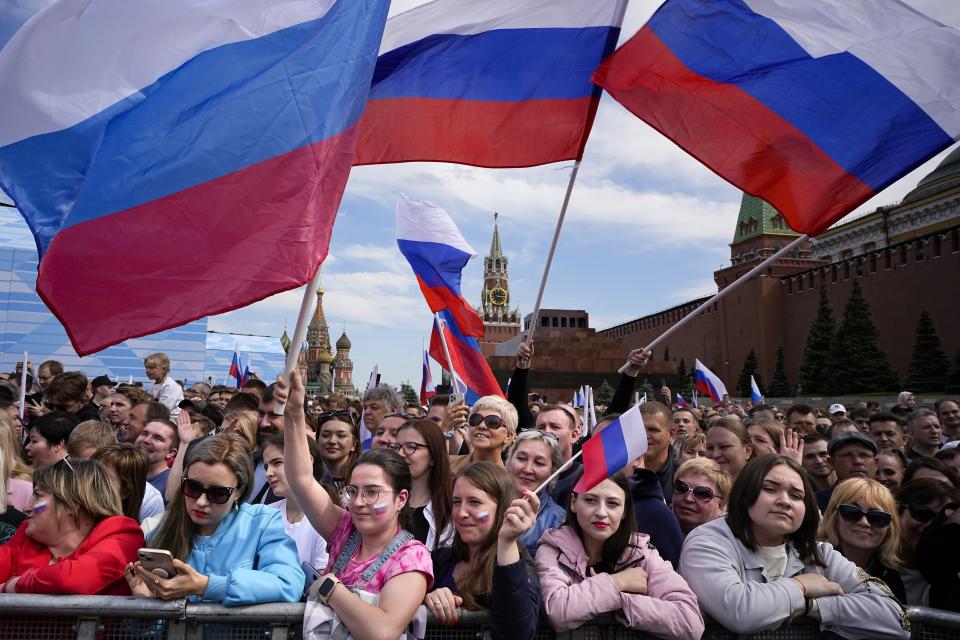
<point x="476" y="583"/>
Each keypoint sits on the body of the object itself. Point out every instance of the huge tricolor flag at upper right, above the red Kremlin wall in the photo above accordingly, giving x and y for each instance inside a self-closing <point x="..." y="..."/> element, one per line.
<point x="812" y="106"/>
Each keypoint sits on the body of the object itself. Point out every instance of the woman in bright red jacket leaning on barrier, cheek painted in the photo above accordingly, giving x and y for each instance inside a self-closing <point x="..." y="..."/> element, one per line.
<point x="75" y="540"/>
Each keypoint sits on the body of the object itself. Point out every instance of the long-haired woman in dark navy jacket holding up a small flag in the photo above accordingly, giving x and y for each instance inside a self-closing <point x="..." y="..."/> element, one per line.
<point x="487" y="567"/>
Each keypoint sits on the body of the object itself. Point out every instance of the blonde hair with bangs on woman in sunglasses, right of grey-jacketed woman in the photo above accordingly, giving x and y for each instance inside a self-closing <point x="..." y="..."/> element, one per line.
<point x="876" y="496"/>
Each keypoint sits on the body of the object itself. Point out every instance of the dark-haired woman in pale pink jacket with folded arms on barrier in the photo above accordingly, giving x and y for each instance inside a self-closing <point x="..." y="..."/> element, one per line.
<point x="597" y="563"/>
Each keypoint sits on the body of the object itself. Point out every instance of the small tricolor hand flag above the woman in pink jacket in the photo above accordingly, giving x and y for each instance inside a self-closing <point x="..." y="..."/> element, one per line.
<point x="617" y="444"/>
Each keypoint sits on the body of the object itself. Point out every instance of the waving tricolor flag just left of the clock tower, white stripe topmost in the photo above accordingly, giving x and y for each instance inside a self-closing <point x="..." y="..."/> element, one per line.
<point x="437" y="252"/>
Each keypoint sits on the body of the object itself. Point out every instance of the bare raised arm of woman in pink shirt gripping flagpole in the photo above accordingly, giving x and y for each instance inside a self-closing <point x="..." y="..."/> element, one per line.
<point x="320" y="510"/>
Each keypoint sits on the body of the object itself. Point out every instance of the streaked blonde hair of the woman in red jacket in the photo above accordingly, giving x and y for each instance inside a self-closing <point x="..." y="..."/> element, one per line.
<point x="79" y="486"/>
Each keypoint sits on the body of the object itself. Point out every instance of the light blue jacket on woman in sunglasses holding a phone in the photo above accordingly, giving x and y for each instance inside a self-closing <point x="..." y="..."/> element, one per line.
<point x="249" y="559"/>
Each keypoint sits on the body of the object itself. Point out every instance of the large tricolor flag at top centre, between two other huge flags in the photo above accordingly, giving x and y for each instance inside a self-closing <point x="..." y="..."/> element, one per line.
<point x="494" y="83"/>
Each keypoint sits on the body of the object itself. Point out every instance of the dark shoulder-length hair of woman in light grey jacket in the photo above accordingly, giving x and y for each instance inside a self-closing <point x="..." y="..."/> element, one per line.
<point x="746" y="490"/>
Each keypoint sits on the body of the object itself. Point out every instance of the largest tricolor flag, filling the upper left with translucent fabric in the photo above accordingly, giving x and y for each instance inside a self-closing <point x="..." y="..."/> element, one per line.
<point x="175" y="158"/>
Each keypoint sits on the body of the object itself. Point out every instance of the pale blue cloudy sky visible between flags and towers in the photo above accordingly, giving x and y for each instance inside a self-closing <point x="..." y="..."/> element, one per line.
<point x="646" y="228"/>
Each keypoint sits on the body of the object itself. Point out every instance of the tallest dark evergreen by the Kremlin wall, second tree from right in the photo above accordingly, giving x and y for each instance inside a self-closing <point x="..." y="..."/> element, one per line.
<point x="858" y="363"/>
